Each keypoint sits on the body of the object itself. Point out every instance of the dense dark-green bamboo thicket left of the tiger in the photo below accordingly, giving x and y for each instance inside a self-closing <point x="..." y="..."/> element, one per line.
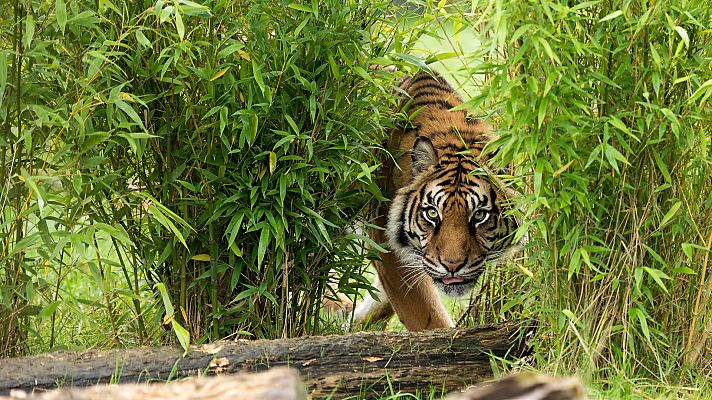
<point x="216" y="153"/>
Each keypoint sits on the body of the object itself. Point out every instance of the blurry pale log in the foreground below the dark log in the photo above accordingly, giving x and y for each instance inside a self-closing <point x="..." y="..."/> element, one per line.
<point x="275" y="384"/>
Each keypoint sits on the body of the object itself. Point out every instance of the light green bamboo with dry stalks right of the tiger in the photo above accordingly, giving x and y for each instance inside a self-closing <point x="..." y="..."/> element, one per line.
<point x="603" y="107"/>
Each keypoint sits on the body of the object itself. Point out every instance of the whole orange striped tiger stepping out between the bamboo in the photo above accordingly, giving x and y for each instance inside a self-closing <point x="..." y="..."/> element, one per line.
<point x="445" y="221"/>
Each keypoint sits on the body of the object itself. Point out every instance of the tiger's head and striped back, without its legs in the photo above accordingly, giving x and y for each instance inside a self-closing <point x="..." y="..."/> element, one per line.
<point x="446" y="216"/>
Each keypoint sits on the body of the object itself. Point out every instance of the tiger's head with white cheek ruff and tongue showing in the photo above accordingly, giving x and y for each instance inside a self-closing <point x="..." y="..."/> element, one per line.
<point x="447" y="221"/>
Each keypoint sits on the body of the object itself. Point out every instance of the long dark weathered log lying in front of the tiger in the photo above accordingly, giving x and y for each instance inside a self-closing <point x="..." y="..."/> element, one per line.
<point x="366" y="363"/>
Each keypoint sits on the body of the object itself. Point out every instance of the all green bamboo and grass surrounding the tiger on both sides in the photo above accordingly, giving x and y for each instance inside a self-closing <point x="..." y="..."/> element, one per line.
<point x="203" y="167"/>
